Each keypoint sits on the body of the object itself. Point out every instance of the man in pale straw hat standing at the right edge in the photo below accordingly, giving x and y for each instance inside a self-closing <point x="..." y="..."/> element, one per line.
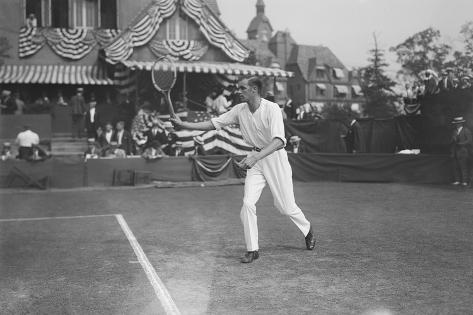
<point x="461" y="151"/>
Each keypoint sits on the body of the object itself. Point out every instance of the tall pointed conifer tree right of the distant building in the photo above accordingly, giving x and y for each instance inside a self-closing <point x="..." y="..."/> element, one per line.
<point x="377" y="86"/>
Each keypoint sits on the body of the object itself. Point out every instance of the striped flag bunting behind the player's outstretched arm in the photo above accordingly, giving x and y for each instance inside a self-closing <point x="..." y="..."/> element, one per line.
<point x="228" y="139"/>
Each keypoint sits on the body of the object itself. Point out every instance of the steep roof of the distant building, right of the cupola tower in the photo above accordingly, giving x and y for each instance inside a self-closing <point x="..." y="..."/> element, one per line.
<point x="303" y="56"/>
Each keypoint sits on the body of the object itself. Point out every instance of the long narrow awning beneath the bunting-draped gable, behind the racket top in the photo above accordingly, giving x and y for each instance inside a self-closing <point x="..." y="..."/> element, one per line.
<point x="211" y="67"/>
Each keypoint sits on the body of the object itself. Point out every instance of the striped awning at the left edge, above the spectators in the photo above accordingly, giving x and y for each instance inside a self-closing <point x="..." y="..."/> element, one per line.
<point x="54" y="74"/>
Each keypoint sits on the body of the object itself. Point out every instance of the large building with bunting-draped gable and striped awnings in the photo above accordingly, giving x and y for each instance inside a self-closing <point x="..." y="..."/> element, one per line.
<point x="109" y="46"/>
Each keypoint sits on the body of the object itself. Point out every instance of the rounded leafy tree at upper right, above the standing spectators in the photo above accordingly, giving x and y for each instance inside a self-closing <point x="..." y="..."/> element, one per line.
<point x="422" y="51"/>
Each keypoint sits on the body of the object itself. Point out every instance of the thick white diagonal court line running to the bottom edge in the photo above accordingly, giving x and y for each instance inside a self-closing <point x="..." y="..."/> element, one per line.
<point x="161" y="292"/>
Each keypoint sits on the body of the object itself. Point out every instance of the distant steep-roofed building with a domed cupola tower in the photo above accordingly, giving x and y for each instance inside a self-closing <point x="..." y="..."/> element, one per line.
<point x="320" y="78"/>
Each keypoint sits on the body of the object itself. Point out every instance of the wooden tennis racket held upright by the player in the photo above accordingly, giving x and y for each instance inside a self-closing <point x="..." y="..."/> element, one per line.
<point x="164" y="74"/>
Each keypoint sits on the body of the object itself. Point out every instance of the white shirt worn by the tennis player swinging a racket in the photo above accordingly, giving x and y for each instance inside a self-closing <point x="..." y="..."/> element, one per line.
<point x="258" y="128"/>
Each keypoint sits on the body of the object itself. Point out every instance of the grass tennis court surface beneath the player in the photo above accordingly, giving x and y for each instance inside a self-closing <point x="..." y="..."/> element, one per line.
<point x="397" y="249"/>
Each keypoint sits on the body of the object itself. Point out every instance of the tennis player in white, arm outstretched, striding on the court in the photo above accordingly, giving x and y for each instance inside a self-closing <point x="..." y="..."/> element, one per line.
<point x="262" y="126"/>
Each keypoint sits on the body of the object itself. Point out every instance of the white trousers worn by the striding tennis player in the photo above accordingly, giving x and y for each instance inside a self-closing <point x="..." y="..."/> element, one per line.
<point x="276" y="171"/>
